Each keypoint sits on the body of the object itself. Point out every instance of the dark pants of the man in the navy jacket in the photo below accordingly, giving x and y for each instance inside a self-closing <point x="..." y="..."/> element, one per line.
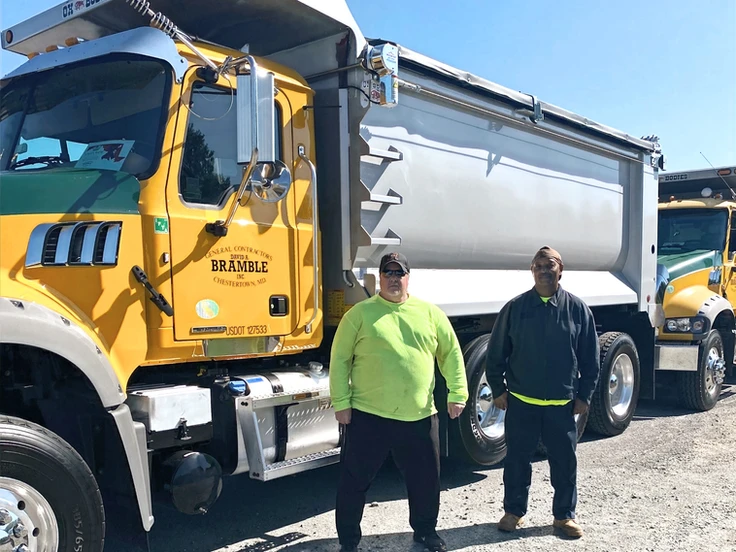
<point x="524" y="424"/>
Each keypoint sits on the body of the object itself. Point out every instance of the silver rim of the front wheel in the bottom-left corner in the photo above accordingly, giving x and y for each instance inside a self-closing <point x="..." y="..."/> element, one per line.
<point x="27" y="521"/>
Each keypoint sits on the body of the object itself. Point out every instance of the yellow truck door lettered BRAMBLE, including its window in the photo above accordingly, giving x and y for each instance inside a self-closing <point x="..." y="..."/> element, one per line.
<point x="242" y="285"/>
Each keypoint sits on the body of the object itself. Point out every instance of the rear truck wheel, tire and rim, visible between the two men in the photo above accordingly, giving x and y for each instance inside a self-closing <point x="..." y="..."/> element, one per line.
<point x="481" y="425"/>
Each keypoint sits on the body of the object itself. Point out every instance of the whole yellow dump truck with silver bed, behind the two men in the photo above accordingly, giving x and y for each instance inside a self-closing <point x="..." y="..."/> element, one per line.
<point x="220" y="194"/>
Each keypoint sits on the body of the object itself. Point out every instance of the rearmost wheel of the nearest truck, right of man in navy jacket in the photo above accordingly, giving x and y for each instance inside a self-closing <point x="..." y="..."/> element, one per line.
<point x="605" y="418"/>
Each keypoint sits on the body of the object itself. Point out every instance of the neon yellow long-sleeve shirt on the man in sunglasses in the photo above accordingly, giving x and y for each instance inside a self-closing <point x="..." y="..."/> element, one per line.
<point x="382" y="359"/>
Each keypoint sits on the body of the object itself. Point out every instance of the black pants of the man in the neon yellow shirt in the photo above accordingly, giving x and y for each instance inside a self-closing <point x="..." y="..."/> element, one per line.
<point x="415" y="449"/>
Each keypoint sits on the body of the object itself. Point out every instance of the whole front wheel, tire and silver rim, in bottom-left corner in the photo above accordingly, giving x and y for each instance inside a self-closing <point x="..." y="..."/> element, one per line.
<point x="49" y="499"/>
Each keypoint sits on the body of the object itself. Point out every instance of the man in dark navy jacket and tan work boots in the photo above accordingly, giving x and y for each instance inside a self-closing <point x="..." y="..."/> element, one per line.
<point x="542" y="366"/>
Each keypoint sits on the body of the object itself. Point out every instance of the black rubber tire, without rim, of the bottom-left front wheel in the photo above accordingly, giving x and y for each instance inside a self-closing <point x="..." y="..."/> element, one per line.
<point x="42" y="460"/>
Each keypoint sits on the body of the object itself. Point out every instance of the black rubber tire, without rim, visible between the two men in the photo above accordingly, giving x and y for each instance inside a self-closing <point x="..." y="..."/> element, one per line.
<point x="473" y="444"/>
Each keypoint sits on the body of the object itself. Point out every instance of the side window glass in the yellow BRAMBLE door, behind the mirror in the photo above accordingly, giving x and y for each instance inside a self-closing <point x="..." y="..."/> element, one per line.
<point x="210" y="170"/>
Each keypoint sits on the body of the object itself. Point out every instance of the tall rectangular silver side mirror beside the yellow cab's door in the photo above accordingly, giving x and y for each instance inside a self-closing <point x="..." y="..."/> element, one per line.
<point x="256" y="114"/>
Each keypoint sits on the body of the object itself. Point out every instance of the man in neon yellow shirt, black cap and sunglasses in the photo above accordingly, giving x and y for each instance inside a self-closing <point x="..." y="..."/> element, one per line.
<point x="382" y="376"/>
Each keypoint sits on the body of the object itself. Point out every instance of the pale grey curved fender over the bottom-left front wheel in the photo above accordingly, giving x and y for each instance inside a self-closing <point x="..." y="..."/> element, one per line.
<point x="23" y="322"/>
